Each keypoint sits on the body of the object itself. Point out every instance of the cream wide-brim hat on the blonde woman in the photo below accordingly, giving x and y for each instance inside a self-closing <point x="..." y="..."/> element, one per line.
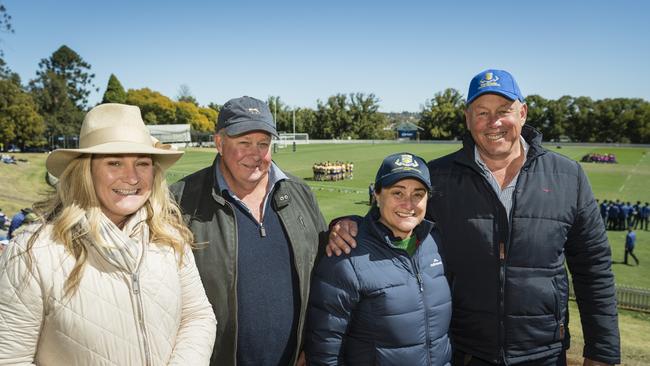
<point x="113" y="128"/>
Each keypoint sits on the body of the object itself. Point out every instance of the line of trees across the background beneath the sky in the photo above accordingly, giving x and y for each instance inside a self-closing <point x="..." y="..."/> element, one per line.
<point x="40" y="111"/>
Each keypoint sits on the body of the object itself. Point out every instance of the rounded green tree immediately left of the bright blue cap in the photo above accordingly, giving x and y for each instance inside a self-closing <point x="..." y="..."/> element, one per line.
<point x="443" y="116"/>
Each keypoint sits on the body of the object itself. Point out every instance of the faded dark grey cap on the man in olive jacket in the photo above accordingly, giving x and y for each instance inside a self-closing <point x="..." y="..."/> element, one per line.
<point x="245" y="114"/>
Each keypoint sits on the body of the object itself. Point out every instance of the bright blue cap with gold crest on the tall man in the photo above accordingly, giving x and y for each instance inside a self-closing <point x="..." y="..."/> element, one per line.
<point x="494" y="81"/>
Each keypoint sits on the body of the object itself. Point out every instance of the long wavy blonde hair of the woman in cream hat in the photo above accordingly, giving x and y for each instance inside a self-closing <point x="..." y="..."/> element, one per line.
<point x="75" y="200"/>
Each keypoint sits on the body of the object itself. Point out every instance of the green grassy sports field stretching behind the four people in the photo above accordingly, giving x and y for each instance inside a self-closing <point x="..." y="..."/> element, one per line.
<point x="628" y="180"/>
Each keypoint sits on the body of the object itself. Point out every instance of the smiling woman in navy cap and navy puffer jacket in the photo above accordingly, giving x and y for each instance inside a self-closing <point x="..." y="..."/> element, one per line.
<point x="388" y="302"/>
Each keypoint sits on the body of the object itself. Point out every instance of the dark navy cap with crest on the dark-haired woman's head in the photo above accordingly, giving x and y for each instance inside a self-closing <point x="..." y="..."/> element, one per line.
<point x="400" y="166"/>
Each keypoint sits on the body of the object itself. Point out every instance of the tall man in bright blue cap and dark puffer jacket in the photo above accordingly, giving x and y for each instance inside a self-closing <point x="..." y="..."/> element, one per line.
<point x="511" y="213"/>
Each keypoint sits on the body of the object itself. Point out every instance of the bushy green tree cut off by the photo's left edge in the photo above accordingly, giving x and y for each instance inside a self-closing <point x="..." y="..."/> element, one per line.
<point x="20" y="122"/>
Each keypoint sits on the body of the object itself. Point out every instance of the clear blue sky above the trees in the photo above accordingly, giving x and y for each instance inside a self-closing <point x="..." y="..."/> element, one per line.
<point x="402" y="51"/>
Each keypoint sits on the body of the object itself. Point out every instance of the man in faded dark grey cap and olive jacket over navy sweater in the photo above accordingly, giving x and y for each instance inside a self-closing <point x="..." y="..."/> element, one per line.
<point x="258" y="230"/>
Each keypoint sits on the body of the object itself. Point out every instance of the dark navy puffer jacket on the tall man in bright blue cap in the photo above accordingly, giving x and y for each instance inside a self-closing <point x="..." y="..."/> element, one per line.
<point x="507" y="277"/>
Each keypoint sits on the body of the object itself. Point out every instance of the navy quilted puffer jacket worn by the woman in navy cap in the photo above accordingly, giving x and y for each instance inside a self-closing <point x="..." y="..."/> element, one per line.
<point x="378" y="306"/>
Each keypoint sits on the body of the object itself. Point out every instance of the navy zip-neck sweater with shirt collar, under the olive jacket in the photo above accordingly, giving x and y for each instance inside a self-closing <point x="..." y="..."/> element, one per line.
<point x="267" y="281"/>
